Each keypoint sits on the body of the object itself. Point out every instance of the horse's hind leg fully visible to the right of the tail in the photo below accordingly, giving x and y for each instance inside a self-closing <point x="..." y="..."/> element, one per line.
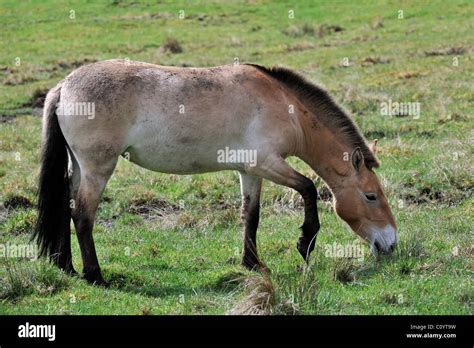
<point x="92" y="184"/>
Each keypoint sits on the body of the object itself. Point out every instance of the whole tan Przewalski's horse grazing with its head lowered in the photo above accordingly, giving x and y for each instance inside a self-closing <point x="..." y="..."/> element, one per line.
<point x="180" y="120"/>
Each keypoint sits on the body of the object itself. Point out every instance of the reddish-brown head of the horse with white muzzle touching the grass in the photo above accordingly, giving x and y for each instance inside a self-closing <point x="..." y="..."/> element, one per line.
<point x="360" y="201"/>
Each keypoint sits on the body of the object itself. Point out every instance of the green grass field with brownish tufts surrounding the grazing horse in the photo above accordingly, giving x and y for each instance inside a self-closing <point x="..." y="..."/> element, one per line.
<point x="172" y="244"/>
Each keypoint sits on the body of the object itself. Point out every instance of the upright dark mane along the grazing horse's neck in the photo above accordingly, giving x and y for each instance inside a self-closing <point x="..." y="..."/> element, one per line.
<point x="321" y="103"/>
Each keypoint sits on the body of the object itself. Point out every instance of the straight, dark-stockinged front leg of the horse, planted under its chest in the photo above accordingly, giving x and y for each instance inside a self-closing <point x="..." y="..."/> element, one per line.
<point x="250" y="187"/>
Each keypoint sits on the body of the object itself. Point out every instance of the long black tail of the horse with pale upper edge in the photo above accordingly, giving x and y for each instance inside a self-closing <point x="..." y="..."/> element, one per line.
<point x="54" y="214"/>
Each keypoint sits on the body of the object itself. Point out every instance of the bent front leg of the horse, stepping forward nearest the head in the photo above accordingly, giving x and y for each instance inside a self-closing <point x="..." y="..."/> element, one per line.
<point x="277" y="170"/>
